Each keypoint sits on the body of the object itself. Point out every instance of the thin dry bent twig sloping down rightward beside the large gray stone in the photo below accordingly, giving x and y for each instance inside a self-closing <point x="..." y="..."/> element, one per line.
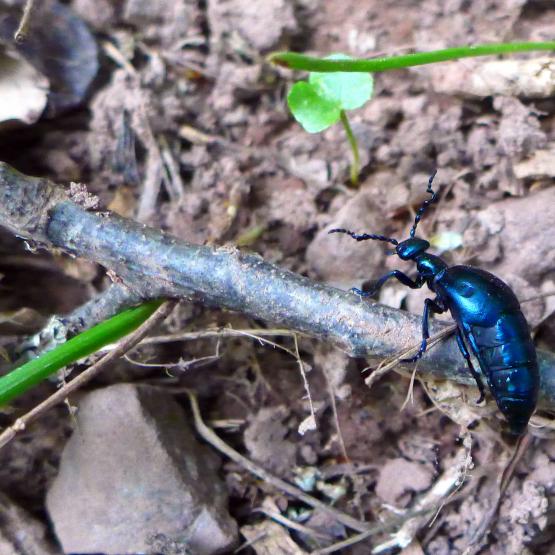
<point x="208" y="435"/>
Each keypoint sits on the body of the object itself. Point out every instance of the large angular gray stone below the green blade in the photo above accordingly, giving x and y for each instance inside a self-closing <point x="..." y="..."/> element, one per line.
<point x="133" y="473"/>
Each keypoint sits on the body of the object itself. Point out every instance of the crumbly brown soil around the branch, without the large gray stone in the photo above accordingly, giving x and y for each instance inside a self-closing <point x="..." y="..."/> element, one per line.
<point x="211" y="124"/>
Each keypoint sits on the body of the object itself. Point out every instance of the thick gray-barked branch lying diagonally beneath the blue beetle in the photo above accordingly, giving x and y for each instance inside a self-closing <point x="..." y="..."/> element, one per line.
<point x="155" y="265"/>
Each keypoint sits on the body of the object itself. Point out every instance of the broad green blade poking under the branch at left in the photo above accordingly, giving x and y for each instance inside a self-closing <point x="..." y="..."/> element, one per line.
<point x="25" y="377"/>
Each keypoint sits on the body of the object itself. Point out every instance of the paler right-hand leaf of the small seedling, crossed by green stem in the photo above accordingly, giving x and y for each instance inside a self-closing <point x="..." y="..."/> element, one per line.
<point x="347" y="90"/>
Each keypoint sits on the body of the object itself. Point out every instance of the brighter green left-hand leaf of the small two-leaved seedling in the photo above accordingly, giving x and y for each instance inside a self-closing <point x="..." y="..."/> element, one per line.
<point x="312" y="111"/>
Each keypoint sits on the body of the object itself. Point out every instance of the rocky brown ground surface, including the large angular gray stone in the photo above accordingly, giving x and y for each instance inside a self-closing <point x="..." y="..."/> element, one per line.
<point x="185" y="127"/>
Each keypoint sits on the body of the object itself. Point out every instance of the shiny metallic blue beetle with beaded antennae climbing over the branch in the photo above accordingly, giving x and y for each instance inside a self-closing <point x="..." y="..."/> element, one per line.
<point x="489" y="320"/>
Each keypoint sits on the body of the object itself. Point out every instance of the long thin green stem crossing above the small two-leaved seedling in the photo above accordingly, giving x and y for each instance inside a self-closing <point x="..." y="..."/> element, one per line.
<point x="293" y="60"/>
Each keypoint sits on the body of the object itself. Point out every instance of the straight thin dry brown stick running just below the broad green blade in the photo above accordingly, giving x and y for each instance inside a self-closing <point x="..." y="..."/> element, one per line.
<point x="124" y="345"/>
